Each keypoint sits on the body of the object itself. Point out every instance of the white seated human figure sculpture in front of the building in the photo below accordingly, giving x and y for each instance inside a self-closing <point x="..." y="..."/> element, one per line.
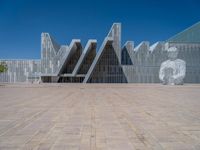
<point x="172" y="71"/>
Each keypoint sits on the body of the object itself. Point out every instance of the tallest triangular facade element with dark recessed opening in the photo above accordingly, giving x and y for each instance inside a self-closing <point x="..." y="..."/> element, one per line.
<point x="106" y="67"/>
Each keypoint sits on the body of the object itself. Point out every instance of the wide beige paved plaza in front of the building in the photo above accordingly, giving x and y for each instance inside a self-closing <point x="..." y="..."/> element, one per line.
<point x="99" y="117"/>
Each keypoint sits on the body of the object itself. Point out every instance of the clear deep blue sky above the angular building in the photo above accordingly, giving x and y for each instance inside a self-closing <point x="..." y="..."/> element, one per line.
<point x="23" y="21"/>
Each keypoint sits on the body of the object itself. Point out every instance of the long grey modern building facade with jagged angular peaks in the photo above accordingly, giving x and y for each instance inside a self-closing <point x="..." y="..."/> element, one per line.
<point x="110" y="64"/>
